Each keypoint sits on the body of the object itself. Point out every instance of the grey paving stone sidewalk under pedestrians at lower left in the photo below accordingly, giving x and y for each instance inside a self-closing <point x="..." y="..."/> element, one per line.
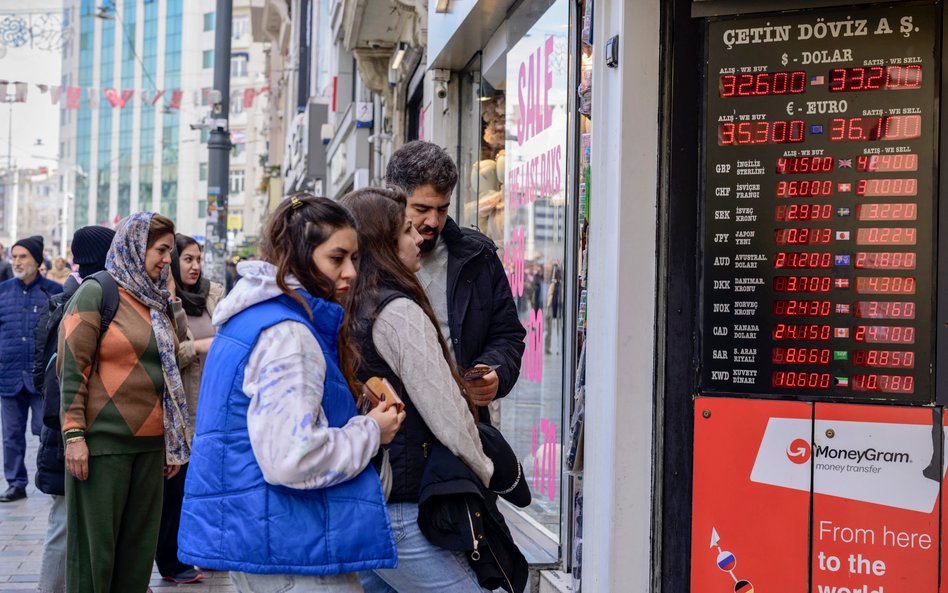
<point x="23" y="530"/>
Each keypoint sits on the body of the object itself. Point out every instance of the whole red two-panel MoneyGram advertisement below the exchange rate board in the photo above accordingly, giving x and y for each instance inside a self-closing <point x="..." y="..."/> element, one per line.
<point x="836" y="498"/>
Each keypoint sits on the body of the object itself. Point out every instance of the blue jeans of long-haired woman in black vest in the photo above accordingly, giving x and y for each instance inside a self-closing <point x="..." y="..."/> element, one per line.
<point x="422" y="566"/>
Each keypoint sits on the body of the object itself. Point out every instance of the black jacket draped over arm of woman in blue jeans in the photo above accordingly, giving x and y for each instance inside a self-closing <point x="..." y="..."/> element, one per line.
<point x="457" y="513"/>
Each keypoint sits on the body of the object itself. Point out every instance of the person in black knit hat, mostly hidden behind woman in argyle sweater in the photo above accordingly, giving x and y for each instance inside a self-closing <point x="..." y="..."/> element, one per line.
<point x="89" y="246"/>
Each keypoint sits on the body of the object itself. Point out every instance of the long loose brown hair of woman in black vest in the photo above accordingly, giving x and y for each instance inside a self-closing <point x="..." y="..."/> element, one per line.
<point x="381" y="217"/>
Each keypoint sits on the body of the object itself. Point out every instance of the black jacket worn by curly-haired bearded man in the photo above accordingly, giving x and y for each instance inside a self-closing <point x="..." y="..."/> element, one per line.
<point x="482" y="314"/>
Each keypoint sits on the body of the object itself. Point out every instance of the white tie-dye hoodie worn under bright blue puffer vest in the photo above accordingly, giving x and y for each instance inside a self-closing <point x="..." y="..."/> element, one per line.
<point x="284" y="378"/>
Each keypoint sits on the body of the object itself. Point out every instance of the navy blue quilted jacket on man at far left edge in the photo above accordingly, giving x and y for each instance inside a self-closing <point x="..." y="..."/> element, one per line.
<point x="20" y="307"/>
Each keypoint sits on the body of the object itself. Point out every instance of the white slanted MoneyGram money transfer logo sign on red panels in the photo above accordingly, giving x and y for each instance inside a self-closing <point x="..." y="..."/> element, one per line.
<point x="857" y="463"/>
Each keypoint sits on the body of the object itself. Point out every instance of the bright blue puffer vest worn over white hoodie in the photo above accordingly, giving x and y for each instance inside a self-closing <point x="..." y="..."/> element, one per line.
<point x="234" y="520"/>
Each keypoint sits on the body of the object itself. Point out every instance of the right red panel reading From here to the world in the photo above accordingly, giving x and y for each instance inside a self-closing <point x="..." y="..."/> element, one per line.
<point x="876" y="499"/>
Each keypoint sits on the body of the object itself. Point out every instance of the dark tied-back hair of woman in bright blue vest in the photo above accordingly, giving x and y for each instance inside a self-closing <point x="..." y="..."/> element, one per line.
<point x="300" y="224"/>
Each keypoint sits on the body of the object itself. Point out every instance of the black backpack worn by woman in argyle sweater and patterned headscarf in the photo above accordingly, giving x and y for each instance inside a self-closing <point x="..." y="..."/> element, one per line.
<point x="50" y="464"/>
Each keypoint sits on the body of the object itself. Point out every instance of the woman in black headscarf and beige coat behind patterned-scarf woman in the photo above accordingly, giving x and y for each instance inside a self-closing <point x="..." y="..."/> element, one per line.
<point x="199" y="297"/>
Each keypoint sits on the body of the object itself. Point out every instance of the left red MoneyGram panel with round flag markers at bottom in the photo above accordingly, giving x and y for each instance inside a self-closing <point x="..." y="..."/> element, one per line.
<point x="745" y="528"/>
